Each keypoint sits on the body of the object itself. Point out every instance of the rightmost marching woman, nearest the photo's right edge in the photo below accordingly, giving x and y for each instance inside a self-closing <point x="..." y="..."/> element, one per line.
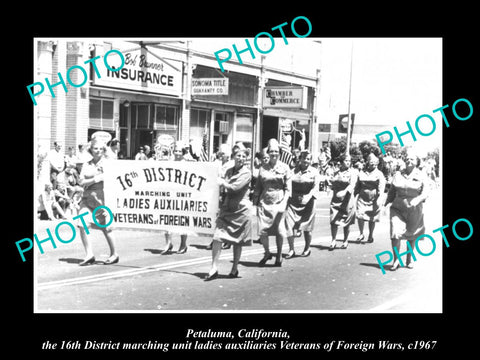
<point x="408" y="191"/>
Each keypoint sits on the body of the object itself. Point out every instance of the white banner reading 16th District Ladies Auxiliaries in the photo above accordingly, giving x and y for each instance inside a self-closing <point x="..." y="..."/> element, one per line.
<point x="177" y="196"/>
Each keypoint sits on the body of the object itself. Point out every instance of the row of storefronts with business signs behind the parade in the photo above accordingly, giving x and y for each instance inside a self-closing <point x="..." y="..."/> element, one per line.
<point x="166" y="90"/>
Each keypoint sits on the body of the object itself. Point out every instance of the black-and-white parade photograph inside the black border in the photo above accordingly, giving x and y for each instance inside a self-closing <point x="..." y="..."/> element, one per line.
<point x="284" y="182"/>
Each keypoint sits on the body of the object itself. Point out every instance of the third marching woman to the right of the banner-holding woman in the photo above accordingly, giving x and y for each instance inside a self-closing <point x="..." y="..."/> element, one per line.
<point x="342" y="206"/>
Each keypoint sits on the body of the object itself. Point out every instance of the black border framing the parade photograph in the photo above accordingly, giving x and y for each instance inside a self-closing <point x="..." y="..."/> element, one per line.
<point x="456" y="26"/>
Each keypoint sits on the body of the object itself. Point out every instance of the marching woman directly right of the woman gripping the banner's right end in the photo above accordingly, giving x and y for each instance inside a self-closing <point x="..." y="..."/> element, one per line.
<point x="272" y="190"/>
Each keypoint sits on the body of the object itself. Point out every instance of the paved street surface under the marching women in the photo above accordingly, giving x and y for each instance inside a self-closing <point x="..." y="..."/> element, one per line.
<point x="339" y="280"/>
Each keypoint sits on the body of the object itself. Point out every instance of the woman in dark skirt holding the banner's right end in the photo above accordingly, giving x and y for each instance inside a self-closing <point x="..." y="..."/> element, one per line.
<point x="234" y="222"/>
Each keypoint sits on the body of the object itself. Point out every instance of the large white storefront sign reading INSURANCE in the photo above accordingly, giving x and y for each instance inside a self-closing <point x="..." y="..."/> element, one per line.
<point x="144" y="71"/>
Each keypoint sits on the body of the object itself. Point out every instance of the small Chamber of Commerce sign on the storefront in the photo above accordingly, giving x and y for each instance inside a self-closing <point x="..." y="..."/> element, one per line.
<point x="285" y="97"/>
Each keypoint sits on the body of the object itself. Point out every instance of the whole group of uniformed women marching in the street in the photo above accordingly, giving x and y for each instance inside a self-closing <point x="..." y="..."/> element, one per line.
<point x="283" y="201"/>
